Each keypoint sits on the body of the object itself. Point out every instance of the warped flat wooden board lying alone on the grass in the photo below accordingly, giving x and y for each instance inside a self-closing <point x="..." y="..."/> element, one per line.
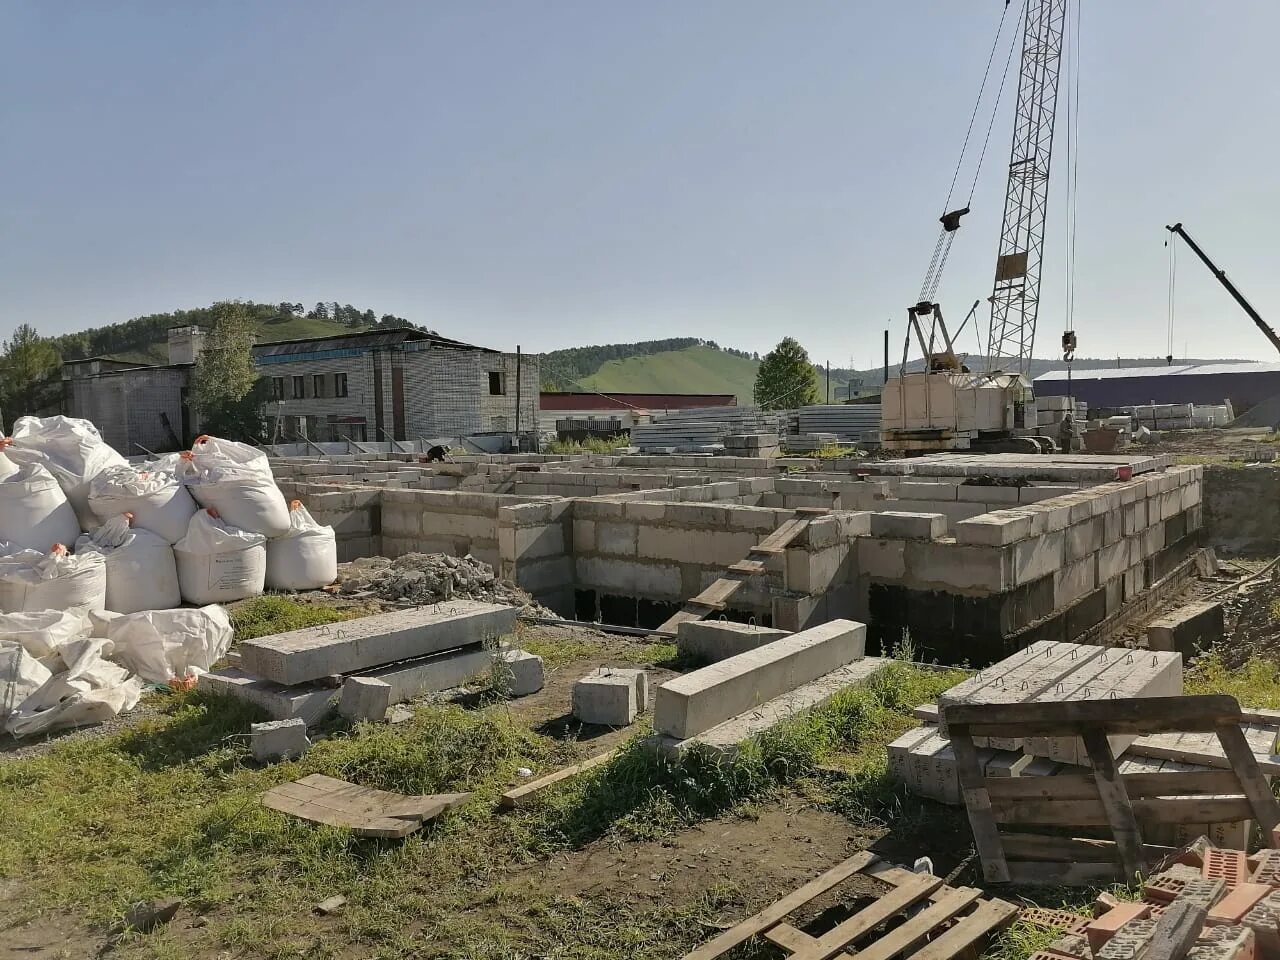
<point x="364" y="811"/>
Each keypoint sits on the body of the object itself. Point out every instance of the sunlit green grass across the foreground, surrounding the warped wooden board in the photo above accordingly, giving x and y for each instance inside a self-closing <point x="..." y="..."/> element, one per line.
<point x="171" y="808"/>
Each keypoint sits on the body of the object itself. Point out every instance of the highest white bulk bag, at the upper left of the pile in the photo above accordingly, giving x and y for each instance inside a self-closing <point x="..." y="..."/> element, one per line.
<point x="71" y="450"/>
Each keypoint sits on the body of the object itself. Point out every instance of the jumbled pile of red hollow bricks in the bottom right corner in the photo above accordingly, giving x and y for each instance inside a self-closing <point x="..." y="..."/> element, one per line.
<point x="1208" y="904"/>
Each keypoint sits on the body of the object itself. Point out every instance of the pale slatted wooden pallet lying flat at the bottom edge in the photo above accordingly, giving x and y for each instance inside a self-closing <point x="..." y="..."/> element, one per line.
<point x="920" y="918"/>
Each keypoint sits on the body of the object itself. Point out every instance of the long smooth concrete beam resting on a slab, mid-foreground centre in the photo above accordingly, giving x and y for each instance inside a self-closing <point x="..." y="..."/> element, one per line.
<point x="697" y="702"/>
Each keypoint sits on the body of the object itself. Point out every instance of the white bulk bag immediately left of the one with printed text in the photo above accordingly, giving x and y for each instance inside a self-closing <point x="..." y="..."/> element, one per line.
<point x="141" y="573"/>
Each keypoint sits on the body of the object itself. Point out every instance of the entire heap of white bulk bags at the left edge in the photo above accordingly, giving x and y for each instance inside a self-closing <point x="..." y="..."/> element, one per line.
<point x="98" y="557"/>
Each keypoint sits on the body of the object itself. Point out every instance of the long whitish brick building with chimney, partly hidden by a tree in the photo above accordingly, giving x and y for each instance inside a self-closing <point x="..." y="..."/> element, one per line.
<point x="367" y="387"/>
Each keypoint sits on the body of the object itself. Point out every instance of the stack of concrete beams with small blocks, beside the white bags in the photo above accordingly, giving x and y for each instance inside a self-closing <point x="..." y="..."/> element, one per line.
<point x="371" y="664"/>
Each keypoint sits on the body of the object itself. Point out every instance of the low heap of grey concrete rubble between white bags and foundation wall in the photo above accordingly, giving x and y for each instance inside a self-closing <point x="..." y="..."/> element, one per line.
<point x="429" y="578"/>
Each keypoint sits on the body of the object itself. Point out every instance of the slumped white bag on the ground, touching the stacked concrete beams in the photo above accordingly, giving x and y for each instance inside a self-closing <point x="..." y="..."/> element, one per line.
<point x="161" y="646"/>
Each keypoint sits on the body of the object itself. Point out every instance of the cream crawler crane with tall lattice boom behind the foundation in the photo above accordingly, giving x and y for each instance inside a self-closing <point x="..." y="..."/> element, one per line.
<point x="947" y="406"/>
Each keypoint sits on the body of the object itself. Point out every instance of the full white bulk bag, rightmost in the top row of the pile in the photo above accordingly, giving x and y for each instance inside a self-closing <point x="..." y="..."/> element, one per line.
<point x="236" y="481"/>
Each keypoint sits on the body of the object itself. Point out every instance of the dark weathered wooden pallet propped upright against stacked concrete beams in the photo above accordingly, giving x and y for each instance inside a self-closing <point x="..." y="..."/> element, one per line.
<point x="1104" y="798"/>
